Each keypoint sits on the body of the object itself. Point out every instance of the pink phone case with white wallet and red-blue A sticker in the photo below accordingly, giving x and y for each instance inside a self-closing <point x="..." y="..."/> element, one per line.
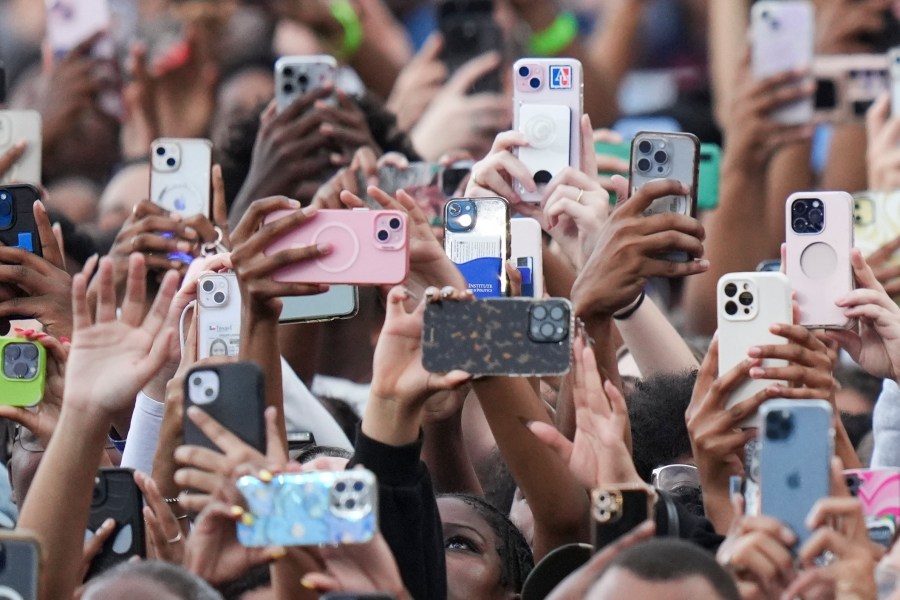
<point x="547" y="107"/>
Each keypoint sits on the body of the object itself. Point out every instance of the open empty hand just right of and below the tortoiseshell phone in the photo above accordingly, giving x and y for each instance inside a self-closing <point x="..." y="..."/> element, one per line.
<point x="599" y="454"/>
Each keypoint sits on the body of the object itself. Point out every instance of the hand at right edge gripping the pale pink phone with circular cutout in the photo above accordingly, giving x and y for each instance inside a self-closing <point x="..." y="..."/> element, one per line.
<point x="876" y="346"/>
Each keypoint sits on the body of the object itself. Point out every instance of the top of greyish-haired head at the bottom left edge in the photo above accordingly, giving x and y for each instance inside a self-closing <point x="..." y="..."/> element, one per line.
<point x="149" y="580"/>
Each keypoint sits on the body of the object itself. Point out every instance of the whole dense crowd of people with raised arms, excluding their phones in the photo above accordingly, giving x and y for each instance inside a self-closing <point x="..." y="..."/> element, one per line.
<point x="484" y="484"/>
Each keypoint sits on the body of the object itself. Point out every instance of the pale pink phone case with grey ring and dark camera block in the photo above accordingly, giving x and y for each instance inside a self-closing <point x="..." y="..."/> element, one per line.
<point x="819" y="236"/>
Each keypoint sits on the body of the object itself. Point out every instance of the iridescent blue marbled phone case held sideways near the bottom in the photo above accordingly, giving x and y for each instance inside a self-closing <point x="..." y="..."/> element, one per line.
<point x="309" y="509"/>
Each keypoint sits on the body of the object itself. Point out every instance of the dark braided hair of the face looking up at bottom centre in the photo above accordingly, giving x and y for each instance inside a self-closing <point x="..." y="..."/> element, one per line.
<point x="516" y="560"/>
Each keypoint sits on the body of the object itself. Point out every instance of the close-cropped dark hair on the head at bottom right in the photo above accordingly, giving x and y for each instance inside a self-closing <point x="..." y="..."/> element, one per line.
<point x="669" y="559"/>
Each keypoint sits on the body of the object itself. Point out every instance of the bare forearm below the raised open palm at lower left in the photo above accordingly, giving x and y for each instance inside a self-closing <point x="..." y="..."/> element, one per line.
<point x="58" y="502"/>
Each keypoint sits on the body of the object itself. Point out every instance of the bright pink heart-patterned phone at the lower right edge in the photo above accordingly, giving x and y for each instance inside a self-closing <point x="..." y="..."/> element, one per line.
<point x="878" y="492"/>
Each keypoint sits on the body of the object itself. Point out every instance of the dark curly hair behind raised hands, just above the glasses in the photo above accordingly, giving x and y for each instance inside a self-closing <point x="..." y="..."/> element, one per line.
<point x="656" y="408"/>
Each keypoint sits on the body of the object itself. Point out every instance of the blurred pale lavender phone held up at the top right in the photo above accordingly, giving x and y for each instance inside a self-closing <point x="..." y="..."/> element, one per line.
<point x="782" y="36"/>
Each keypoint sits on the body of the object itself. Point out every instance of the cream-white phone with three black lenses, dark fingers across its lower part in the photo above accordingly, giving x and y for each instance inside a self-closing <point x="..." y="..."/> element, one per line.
<point x="747" y="304"/>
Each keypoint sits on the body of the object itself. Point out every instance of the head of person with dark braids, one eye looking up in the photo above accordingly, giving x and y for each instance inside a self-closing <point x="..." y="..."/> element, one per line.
<point x="487" y="557"/>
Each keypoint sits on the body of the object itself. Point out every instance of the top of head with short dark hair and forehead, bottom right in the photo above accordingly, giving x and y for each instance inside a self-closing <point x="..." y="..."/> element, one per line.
<point x="666" y="568"/>
